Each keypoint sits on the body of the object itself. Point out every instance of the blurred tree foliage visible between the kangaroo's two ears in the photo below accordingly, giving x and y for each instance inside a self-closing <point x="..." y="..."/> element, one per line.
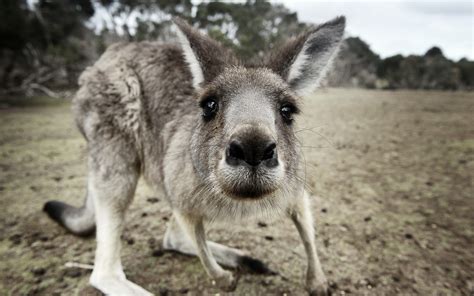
<point x="251" y="28"/>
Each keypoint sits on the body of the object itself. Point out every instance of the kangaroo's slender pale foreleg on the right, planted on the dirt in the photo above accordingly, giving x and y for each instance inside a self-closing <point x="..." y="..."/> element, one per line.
<point x="316" y="282"/>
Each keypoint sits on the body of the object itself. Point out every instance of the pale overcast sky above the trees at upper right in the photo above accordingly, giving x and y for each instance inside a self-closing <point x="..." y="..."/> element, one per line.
<point x="406" y="27"/>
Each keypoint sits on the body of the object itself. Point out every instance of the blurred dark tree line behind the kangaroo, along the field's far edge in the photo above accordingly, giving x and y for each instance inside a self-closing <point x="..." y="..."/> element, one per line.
<point x="45" y="44"/>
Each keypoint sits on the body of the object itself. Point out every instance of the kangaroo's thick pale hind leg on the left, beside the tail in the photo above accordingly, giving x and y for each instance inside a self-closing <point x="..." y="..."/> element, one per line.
<point x="113" y="178"/>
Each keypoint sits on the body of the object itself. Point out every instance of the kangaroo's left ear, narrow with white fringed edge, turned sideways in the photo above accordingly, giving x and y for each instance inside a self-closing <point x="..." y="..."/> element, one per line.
<point x="206" y="57"/>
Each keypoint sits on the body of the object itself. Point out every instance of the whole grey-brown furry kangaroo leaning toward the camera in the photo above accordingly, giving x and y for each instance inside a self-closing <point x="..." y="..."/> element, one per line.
<point x="214" y="133"/>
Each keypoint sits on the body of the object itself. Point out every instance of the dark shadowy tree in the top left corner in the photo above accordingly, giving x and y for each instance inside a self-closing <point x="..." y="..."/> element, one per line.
<point x="38" y="42"/>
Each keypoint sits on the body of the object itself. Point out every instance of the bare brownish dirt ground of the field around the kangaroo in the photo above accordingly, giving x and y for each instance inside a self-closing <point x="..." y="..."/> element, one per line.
<point x="391" y="175"/>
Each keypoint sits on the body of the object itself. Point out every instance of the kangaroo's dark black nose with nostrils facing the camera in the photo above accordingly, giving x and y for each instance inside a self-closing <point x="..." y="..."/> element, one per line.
<point x="253" y="152"/>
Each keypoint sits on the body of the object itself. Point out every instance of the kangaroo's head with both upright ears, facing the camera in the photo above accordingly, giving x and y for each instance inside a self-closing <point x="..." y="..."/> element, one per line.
<point x="244" y="145"/>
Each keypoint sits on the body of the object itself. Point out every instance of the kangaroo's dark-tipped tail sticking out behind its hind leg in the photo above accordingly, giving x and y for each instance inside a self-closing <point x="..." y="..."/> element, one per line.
<point x="79" y="221"/>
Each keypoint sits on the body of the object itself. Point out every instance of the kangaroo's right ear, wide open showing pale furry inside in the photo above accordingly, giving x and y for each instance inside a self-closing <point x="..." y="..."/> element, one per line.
<point x="304" y="60"/>
